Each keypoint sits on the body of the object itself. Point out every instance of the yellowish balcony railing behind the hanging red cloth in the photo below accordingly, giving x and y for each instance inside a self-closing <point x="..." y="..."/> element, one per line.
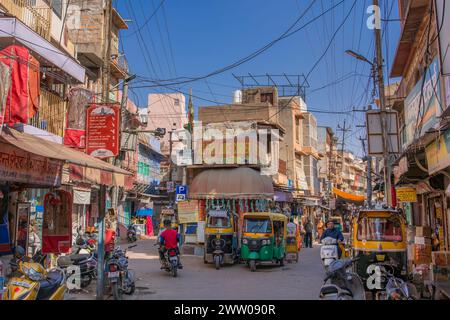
<point x="52" y="113"/>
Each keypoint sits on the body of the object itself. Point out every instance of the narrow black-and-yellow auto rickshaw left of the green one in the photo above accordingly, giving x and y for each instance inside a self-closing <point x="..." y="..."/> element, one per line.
<point x="220" y="238"/>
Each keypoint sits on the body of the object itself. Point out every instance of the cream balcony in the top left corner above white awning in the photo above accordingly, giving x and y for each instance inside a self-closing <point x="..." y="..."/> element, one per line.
<point x="36" y="17"/>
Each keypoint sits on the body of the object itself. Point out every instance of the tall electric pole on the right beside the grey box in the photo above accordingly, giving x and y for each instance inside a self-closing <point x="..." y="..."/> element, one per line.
<point x="384" y="126"/>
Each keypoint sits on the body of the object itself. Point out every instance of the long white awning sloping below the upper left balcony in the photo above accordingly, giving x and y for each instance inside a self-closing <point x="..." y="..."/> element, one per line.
<point x="13" y="30"/>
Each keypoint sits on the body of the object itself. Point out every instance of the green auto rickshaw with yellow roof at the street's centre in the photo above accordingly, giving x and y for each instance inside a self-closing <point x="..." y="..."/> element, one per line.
<point x="263" y="238"/>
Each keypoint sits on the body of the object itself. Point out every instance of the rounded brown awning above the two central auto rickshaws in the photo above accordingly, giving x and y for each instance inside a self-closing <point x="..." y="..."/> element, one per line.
<point x="237" y="183"/>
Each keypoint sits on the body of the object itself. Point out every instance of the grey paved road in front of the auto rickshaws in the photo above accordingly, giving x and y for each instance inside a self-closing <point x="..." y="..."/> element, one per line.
<point x="198" y="281"/>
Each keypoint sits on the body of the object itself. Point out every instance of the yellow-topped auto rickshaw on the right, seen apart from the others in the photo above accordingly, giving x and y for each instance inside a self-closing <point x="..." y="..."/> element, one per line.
<point x="379" y="238"/>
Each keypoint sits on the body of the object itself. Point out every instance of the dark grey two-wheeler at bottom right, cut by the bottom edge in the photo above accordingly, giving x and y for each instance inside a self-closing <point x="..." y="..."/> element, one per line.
<point x="341" y="283"/>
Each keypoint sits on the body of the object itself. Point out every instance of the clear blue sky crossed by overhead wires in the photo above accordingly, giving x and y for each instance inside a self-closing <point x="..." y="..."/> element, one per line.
<point x="206" y="35"/>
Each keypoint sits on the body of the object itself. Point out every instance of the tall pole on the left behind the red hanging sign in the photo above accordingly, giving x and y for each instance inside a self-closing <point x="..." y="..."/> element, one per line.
<point x="103" y="190"/>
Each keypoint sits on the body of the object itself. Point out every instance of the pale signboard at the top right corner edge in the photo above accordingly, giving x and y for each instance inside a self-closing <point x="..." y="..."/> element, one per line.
<point x="443" y="23"/>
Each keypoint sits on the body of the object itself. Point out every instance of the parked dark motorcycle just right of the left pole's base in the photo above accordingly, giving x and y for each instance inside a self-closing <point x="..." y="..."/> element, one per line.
<point x="121" y="279"/>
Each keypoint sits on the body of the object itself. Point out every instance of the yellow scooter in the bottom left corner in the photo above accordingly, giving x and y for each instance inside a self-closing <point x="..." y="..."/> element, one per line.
<point x="36" y="284"/>
